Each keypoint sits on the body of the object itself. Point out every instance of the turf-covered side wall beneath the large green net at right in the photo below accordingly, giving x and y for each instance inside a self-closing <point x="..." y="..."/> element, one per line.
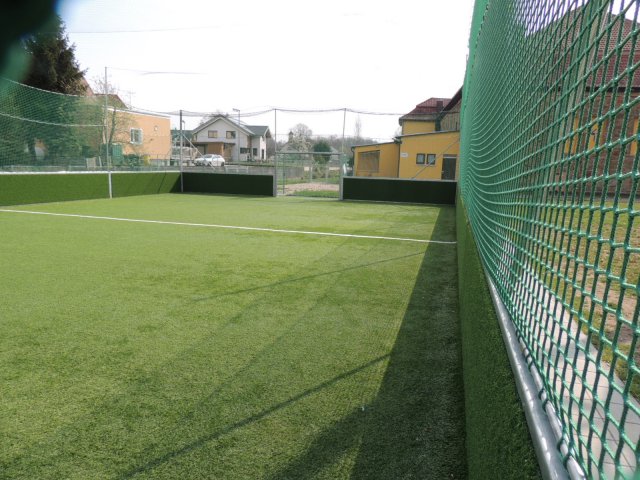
<point x="498" y="441"/>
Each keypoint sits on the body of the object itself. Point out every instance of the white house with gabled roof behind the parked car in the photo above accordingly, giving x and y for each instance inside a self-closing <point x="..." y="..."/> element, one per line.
<point x="234" y="141"/>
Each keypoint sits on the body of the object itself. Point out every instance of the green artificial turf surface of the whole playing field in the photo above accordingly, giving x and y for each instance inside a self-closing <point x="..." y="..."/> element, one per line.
<point x="147" y="350"/>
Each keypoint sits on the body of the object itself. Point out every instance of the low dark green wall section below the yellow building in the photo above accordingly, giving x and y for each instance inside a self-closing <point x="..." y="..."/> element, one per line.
<point x="399" y="190"/>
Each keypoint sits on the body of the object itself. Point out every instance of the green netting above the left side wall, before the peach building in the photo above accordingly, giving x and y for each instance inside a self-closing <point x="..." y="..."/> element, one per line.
<point x="43" y="131"/>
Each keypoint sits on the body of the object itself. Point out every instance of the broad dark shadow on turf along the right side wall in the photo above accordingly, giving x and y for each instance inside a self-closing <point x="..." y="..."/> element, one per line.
<point x="415" y="426"/>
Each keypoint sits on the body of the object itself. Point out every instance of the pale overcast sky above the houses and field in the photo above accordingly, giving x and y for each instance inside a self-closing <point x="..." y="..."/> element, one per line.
<point x="208" y="56"/>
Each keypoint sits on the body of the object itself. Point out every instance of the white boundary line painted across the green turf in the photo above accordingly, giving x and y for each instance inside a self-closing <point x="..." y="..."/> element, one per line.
<point x="231" y="227"/>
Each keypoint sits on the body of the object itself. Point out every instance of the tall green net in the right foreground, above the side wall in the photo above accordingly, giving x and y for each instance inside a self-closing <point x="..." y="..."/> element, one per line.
<point x="550" y="181"/>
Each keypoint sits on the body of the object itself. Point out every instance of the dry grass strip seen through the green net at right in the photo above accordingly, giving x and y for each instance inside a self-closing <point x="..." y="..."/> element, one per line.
<point x="596" y="267"/>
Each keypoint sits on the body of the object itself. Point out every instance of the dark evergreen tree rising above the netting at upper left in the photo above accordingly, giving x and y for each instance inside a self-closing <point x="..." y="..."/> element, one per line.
<point x="53" y="63"/>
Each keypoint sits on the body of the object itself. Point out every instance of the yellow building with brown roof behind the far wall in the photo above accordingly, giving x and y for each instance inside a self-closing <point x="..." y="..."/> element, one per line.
<point x="427" y="148"/>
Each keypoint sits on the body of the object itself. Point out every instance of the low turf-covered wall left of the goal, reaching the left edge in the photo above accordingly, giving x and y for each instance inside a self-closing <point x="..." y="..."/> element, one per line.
<point x="19" y="189"/>
